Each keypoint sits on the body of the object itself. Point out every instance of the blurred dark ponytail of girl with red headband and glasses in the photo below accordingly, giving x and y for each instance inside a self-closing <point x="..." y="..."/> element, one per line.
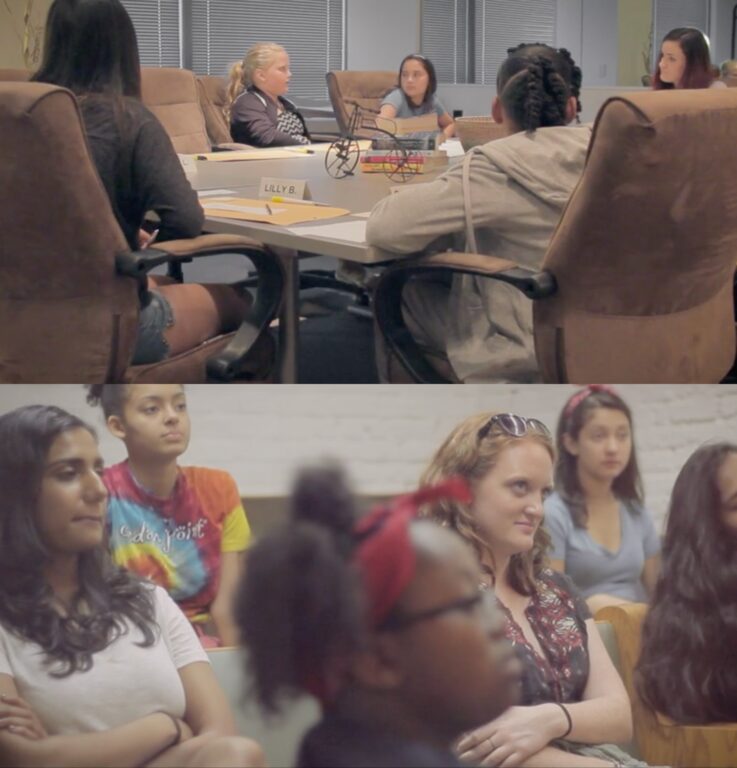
<point x="301" y="605"/>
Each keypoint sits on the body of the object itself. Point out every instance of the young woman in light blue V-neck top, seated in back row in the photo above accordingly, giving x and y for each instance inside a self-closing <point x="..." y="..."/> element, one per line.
<point x="603" y="537"/>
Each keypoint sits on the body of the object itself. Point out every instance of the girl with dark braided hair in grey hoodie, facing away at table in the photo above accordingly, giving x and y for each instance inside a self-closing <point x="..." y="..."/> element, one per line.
<point x="505" y="198"/>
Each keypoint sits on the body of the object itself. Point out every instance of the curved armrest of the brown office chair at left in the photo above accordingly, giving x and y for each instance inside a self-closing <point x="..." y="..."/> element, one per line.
<point x="226" y="364"/>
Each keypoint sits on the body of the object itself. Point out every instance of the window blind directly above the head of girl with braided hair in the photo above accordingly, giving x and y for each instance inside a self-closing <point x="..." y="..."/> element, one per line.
<point x="503" y="24"/>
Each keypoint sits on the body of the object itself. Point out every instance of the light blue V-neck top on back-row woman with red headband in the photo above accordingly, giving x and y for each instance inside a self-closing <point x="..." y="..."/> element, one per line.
<point x="595" y="569"/>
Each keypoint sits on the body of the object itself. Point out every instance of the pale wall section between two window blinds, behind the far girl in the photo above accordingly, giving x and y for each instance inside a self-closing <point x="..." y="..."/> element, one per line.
<point x="380" y="33"/>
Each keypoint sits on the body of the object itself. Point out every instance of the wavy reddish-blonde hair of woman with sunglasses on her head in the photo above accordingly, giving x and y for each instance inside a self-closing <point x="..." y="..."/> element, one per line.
<point x="471" y="457"/>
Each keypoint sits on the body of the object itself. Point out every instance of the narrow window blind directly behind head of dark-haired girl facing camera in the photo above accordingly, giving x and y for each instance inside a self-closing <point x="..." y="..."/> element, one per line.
<point x="444" y="38"/>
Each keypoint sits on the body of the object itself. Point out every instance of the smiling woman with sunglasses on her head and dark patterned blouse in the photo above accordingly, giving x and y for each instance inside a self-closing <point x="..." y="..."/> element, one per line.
<point x="573" y="702"/>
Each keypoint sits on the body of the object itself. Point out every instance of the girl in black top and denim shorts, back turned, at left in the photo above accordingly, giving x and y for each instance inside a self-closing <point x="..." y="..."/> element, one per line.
<point x="91" y="48"/>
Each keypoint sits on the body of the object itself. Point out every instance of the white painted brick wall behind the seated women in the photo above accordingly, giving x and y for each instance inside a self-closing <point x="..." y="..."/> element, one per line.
<point x="386" y="434"/>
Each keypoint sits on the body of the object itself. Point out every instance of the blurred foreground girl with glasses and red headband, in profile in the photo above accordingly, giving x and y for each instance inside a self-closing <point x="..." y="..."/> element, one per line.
<point x="365" y="617"/>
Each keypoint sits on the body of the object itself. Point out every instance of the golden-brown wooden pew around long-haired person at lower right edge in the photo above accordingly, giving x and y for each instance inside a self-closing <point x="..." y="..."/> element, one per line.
<point x="660" y="741"/>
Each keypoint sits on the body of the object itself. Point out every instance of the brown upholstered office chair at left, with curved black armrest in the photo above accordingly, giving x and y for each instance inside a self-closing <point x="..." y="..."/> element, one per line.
<point x="68" y="282"/>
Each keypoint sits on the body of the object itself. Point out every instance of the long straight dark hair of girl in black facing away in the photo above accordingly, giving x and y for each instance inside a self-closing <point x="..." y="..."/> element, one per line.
<point x="90" y="47"/>
